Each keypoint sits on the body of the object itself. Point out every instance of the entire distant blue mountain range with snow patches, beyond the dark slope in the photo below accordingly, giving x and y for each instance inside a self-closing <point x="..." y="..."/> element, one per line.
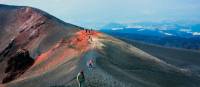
<point x="165" y="34"/>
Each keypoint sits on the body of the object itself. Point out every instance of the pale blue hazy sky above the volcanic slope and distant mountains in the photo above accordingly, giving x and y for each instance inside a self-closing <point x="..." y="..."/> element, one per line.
<point x="96" y="13"/>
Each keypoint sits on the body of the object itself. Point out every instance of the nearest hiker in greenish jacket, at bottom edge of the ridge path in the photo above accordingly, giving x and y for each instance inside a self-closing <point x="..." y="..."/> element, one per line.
<point x="81" y="79"/>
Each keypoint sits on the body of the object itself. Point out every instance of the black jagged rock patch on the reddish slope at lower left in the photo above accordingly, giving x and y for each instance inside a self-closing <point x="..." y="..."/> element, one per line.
<point x="17" y="65"/>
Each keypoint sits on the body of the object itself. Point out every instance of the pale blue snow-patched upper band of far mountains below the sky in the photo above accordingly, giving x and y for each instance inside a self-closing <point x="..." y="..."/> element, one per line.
<point x="161" y="29"/>
